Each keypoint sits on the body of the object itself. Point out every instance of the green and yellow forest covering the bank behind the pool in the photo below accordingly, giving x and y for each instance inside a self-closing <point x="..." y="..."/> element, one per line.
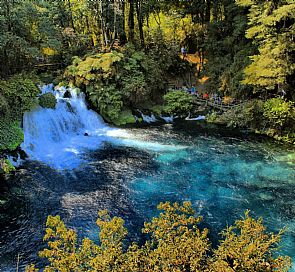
<point x="125" y="55"/>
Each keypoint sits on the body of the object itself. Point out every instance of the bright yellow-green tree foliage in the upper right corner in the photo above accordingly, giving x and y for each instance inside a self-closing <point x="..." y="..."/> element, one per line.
<point x="271" y="26"/>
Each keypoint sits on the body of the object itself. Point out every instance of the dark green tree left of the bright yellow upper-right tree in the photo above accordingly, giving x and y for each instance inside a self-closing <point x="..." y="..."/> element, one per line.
<point x="227" y="52"/>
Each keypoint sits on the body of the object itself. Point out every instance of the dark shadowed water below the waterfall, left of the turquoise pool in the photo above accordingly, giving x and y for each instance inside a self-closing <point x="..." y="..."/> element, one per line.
<point x="37" y="191"/>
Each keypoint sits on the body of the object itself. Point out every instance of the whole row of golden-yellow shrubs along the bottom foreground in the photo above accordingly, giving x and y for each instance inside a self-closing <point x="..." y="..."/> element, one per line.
<point x="175" y="244"/>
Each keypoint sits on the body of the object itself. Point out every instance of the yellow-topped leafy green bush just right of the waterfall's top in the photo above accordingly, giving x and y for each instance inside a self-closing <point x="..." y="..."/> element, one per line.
<point x="97" y="74"/>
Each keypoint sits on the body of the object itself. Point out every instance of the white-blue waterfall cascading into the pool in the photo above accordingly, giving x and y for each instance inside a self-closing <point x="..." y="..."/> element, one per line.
<point x="60" y="136"/>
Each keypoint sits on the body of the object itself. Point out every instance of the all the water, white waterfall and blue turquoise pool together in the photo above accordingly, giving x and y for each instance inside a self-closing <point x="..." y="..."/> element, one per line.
<point x="129" y="171"/>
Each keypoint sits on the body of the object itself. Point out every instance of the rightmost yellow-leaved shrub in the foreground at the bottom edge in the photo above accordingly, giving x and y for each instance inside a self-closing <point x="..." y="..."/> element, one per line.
<point x="248" y="247"/>
